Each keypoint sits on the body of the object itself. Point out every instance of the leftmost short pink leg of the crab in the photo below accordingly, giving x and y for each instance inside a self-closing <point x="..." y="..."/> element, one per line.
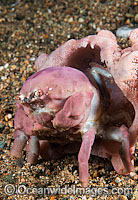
<point x="19" y="143"/>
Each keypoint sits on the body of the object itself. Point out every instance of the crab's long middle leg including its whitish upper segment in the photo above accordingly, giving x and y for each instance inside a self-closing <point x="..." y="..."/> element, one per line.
<point x="89" y="130"/>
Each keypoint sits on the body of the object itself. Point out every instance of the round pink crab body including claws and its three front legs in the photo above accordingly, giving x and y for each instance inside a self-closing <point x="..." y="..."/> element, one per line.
<point x="54" y="107"/>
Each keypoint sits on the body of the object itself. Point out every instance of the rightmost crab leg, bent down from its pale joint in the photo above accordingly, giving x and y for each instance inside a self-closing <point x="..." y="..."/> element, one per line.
<point x="121" y="136"/>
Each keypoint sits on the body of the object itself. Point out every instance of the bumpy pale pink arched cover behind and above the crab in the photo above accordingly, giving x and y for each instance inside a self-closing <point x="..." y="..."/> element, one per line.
<point x="102" y="49"/>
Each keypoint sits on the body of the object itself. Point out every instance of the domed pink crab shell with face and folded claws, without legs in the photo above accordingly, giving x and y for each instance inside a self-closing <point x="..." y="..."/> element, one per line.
<point x="65" y="88"/>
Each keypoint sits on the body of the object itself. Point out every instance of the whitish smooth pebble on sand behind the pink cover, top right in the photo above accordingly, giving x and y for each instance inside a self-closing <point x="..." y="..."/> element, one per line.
<point x="124" y="31"/>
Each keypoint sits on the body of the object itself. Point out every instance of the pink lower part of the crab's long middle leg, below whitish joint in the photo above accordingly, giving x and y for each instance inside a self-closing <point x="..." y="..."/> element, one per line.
<point x="84" y="155"/>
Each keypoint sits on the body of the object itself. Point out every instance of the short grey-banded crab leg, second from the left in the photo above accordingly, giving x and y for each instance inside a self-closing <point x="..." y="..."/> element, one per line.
<point x="33" y="150"/>
